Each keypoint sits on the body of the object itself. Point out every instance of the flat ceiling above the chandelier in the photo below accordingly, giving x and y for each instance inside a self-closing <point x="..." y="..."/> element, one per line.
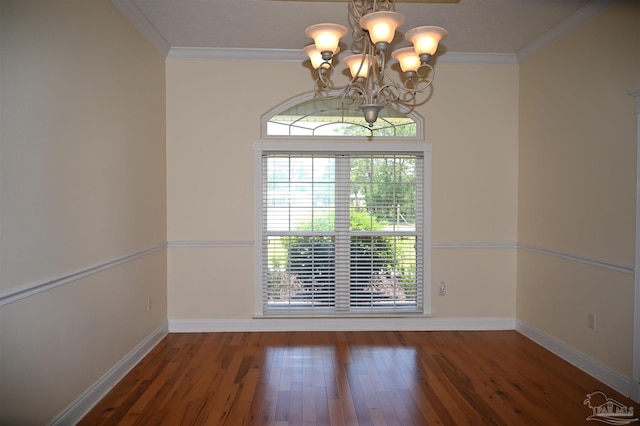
<point x="475" y="26"/>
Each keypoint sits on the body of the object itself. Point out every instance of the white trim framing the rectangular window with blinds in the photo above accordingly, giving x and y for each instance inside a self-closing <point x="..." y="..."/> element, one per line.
<point x="300" y="145"/>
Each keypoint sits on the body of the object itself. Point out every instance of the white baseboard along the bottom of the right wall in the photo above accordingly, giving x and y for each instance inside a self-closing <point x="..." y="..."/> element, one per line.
<point x="590" y="366"/>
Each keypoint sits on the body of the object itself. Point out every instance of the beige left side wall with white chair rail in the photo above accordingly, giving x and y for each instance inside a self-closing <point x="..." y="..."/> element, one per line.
<point x="82" y="183"/>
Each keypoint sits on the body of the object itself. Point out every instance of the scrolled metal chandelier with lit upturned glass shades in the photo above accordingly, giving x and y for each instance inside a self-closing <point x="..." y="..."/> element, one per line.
<point x="373" y="24"/>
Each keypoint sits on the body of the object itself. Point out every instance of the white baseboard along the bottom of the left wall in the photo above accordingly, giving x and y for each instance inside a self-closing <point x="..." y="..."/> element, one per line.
<point x="81" y="406"/>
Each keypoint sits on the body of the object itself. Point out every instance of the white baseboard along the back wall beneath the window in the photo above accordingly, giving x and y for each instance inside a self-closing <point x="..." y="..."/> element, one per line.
<point x="421" y="323"/>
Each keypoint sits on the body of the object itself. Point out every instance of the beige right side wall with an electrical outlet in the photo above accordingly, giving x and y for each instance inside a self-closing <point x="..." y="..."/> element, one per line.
<point x="577" y="186"/>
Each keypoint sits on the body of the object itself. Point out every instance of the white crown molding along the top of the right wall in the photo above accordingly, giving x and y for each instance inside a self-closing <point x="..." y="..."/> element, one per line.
<point x="565" y="27"/>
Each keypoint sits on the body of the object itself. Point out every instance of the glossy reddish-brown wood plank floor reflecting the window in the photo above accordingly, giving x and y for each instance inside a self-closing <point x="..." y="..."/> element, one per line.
<point x="350" y="378"/>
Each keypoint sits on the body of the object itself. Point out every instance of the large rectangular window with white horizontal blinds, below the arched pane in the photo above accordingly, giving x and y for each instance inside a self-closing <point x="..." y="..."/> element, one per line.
<point x="342" y="232"/>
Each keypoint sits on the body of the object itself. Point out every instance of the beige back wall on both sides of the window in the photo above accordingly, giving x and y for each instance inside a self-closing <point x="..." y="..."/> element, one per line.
<point x="213" y="119"/>
